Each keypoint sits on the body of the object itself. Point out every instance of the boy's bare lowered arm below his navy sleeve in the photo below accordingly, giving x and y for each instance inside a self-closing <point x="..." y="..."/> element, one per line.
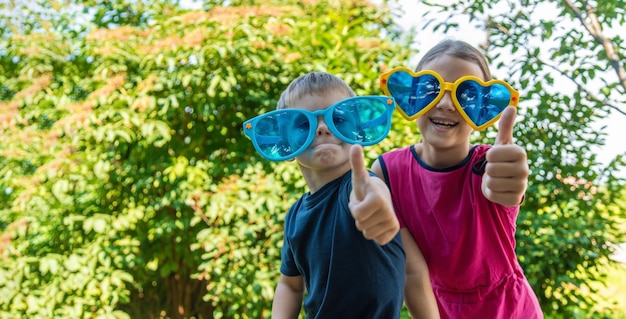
<point x="288" y="297"/>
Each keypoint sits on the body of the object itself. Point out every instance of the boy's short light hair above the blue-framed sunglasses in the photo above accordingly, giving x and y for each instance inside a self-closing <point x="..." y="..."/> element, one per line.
<point x="314" y="83"/>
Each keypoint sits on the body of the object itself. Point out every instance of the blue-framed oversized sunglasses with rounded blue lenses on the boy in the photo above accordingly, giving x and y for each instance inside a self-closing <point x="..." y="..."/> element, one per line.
<point x="284" y="134"/>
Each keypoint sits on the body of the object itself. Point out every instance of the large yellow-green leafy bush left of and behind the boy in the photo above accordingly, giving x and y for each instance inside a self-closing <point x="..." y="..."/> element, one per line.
<point x="127" y="189"/>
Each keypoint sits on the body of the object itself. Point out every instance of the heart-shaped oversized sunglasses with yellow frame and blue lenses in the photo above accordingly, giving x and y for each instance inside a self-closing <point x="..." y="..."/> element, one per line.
<point x="479" y="103"/>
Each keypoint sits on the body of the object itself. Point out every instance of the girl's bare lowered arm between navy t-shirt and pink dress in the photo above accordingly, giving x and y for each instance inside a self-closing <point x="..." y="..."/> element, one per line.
<point x="418" y="292"/>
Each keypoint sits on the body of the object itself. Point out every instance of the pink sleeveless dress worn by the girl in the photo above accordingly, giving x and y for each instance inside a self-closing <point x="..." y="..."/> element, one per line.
<point x="468" y="241"/>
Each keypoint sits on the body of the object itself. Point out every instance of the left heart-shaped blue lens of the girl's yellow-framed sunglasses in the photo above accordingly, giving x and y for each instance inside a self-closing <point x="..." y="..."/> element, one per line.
<point x="413" y="94"/>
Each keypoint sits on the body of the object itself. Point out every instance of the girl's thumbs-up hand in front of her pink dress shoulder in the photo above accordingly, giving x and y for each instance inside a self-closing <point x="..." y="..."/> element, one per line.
<point x="506" y="172"/>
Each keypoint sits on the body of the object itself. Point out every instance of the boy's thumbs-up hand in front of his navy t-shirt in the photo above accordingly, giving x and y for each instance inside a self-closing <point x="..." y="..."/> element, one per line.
<point x="370" y="202"/>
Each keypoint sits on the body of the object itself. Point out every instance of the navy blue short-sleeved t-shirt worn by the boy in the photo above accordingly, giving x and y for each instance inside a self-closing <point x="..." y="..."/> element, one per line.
<point x="346" y="275"/>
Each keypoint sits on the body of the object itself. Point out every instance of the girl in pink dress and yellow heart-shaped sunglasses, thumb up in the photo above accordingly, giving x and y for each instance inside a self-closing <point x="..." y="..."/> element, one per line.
<point x="457" y="203"/>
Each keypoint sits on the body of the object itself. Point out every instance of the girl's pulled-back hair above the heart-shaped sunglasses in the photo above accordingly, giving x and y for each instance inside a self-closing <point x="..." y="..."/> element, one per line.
<point x="458" y="49"/>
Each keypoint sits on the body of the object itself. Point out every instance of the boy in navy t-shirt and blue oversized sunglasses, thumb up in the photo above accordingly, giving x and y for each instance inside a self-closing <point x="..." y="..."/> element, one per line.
<point x="341" y="241"/>
